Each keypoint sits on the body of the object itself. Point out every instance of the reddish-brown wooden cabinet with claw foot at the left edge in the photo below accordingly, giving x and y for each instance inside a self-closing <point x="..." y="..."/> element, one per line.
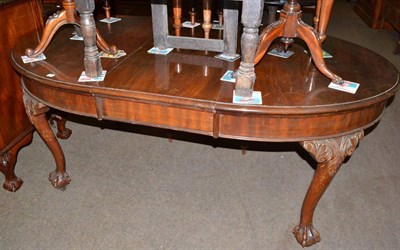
<point x="15" y="128"/>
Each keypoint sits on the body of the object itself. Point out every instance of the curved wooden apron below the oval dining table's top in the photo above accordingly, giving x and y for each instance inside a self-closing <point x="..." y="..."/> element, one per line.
<point x="208" y="120"/>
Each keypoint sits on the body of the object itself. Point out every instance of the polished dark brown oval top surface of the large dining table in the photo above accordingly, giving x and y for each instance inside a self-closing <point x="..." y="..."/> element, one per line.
<point x="289" y="84"/>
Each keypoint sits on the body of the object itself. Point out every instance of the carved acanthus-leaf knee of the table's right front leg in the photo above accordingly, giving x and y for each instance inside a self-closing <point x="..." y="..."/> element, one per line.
<point x="332" y="152"/>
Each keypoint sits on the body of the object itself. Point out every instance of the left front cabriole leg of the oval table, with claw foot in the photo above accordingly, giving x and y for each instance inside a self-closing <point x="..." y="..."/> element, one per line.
<point x="36" y="112"/>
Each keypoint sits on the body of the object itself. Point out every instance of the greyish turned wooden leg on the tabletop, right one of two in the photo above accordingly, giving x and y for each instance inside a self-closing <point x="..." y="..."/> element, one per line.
<point x="251" y="19"/>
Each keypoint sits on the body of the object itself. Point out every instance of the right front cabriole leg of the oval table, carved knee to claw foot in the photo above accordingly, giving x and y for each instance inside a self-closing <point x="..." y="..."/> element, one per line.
<point x="329" y="153"/>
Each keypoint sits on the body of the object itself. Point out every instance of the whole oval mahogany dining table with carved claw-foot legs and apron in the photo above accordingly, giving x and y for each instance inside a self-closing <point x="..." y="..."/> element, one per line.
<point x="152" y="90"/>
